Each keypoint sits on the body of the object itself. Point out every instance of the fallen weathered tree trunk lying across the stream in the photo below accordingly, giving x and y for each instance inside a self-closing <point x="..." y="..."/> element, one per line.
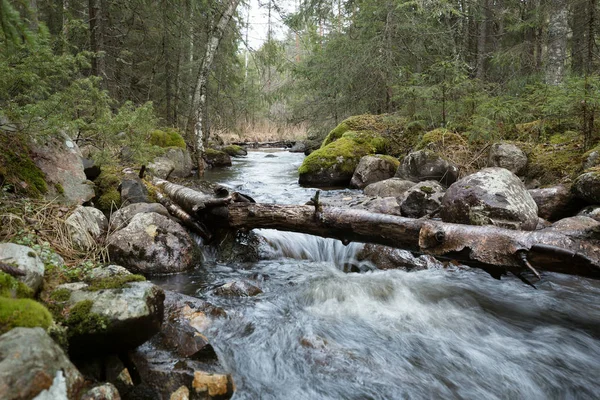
<point x="494" y="249"/>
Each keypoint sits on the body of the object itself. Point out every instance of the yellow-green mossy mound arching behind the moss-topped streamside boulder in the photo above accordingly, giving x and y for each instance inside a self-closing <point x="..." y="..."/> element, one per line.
<point x="399" y="135"/>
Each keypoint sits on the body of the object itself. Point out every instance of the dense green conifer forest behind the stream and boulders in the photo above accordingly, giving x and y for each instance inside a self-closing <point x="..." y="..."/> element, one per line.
<point x="101" y="70"/>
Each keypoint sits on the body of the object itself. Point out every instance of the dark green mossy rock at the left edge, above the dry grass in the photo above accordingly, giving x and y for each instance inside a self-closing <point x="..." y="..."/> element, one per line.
<point x="18" y="169"/>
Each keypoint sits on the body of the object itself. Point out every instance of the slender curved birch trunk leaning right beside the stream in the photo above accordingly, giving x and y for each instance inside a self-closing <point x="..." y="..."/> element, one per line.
<point x="198" y="108"/>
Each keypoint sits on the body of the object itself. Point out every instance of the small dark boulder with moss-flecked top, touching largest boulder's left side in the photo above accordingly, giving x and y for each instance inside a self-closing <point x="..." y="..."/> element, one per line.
<point x="422" y="199"/>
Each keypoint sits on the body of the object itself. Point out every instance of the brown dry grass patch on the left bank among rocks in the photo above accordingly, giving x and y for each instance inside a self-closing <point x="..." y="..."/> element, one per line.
<point x="44" y="223"/>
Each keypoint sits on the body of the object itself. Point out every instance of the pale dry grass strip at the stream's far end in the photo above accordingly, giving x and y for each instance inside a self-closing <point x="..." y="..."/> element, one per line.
<point x="265" y="131"/>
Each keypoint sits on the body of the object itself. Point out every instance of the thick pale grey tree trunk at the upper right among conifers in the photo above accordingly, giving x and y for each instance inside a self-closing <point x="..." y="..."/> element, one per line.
<point x="557" y="42"/>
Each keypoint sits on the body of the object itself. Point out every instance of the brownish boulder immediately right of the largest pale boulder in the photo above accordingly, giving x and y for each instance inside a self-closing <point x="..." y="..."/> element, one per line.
<point x="555" y="202"/>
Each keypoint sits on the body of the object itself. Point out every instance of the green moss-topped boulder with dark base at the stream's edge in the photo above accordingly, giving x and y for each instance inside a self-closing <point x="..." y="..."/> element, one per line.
<point x="334" y="164"/>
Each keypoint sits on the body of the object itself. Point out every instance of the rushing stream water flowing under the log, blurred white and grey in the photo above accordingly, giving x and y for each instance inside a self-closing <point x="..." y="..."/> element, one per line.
<point x="319" y="333"/>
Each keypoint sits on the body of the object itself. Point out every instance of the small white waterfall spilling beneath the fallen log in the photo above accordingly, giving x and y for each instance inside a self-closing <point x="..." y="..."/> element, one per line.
<point x="299" y="246"/>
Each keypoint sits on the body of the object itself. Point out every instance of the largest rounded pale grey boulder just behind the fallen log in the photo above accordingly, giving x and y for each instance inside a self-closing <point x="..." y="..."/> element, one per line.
<point x="492" y="196"/>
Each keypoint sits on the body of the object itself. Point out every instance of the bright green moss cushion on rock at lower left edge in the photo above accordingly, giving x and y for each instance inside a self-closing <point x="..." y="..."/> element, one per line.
<point x="22" y="313"/>
